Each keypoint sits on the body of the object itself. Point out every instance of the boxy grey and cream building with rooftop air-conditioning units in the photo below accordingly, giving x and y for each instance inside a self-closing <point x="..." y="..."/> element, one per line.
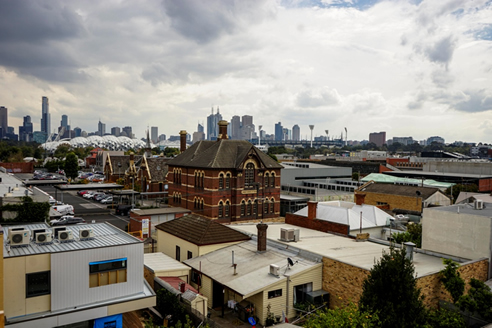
<point x="77" y="274"/>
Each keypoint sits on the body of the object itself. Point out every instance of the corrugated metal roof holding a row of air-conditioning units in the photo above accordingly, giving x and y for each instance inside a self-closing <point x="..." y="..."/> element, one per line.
<point x="105" y="235"/>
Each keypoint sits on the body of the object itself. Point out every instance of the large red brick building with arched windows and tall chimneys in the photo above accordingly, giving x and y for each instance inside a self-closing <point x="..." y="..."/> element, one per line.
<point x="229" y="180"/>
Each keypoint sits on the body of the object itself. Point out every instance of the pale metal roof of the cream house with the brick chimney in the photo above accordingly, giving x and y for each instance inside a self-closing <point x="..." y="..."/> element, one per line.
<point x="252" y="270"/>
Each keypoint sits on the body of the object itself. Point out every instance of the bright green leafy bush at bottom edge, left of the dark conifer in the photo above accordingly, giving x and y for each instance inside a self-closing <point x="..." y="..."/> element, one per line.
<point x="349" y="316"/>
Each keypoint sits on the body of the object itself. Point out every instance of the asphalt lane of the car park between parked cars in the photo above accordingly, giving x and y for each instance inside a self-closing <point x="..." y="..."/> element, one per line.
<point x="90" y="210"/>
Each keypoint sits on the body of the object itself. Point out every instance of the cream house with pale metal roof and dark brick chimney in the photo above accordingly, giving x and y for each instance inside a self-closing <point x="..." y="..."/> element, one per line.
<point x="252" y="277"/>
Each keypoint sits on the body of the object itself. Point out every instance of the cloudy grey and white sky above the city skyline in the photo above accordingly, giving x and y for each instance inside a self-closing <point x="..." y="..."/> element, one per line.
<point x="410" y="68"/>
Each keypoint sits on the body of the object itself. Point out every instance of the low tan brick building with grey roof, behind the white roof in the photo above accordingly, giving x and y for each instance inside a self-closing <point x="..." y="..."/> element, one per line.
<point x="401" y="198"/>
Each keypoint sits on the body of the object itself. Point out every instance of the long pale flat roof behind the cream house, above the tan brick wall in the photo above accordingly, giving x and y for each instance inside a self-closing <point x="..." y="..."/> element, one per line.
<point x="342" y="249"/>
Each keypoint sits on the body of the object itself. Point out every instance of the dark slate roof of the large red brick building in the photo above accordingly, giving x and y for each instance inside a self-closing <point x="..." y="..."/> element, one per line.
<point x="221" y="154"/>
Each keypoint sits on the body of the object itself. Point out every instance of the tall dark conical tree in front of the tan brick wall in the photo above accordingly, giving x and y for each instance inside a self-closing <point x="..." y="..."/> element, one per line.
<point x="391" y="291"/>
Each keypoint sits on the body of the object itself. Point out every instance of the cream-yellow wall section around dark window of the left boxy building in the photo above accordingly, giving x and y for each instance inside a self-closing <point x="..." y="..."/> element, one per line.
<point x="15" y="285"/>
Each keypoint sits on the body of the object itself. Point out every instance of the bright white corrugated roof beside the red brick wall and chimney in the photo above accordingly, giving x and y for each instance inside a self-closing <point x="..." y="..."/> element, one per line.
<point x="349" y="213"/>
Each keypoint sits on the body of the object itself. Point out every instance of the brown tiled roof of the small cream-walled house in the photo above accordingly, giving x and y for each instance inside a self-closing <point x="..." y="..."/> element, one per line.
<point x="201" y="231"/>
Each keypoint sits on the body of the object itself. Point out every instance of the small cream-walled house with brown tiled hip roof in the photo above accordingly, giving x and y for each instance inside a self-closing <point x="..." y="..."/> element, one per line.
<point x="192" y="235"/>
